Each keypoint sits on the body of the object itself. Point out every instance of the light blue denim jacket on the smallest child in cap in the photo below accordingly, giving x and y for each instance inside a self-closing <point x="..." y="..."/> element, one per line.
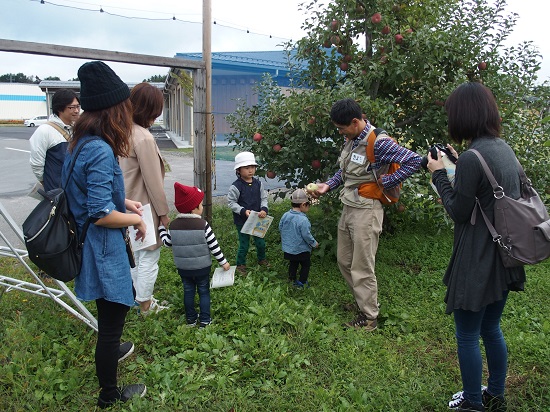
<point x="296" y="234"/>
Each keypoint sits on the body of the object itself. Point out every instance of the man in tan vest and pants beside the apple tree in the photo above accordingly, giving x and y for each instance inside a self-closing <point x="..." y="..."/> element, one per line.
<point x="360" y="224"/>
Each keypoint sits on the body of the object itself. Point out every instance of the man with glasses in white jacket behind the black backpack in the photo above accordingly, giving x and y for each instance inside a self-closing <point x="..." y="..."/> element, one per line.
<point x="49" y="142"/>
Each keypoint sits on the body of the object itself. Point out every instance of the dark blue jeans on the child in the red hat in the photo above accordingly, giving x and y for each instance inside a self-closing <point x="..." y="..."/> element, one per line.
<point x="192" y="285"/>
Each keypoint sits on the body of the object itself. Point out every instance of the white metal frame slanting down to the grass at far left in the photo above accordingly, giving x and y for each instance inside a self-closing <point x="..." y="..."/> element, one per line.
<point x="73" y="306"/>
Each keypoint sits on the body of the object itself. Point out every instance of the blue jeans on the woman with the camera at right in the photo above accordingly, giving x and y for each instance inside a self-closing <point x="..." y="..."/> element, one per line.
<point x="469" y="327"/>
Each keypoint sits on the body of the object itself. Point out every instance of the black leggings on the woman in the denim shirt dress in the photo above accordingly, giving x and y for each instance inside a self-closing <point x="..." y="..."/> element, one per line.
<point x="110" y="321"/>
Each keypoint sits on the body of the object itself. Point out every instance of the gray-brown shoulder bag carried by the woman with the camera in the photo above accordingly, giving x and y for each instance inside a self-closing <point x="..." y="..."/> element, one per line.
<point x="522" y="226"/>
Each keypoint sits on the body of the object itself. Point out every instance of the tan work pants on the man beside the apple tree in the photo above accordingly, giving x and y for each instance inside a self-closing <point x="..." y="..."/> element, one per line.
<point x="358" y="233"/>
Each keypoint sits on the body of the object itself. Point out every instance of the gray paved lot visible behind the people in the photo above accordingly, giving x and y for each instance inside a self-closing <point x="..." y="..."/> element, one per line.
<point x="17" y="179"/>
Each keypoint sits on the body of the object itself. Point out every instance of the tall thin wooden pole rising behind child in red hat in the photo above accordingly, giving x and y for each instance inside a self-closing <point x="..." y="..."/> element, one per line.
<point x="207" y="57"/>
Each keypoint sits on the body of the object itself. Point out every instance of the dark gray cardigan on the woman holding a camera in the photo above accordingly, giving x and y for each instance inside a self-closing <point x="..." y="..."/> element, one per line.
<point x="476" y="276"/>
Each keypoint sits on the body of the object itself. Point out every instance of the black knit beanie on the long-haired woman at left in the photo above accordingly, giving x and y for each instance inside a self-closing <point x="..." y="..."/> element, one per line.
<point x="100" y="87"/>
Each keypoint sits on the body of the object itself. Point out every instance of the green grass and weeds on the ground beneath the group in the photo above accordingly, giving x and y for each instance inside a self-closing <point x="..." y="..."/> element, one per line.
<point x="274" y="348"/>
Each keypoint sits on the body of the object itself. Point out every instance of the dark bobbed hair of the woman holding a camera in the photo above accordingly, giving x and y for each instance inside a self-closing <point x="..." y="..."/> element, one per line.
<point x="472" y="112"/>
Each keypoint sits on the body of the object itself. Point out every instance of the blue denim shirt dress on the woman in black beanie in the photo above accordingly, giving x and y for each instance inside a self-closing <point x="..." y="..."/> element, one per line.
<point x="105" y="271"/>
